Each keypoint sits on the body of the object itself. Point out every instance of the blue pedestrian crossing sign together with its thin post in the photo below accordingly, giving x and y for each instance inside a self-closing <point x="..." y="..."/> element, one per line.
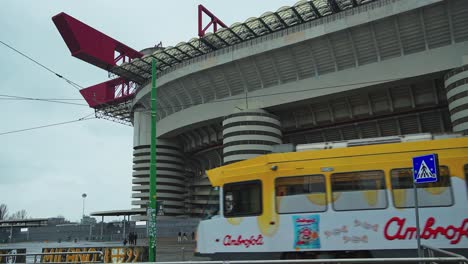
<point x="425" y="170"/>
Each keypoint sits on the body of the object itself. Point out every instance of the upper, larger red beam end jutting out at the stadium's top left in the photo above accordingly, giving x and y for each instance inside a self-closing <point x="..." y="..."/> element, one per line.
<point x="91" y="45"/>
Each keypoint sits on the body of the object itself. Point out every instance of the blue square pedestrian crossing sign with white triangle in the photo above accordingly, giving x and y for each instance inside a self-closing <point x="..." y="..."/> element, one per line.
<point x="425" y="168"/>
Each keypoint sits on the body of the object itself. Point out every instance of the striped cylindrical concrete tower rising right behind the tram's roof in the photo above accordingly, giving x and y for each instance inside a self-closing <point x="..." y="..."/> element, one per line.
<point x="249" y="133"/>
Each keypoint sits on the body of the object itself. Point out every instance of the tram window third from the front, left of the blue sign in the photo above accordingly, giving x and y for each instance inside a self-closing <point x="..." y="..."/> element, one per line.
<point x="360" y="190"/>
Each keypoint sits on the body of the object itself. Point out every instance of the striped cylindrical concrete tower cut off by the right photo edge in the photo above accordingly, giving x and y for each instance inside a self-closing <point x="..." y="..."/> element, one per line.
<point x="456" y="84"/>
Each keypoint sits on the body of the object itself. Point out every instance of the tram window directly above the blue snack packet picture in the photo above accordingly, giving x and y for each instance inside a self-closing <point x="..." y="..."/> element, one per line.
<point x="300" y="194"/>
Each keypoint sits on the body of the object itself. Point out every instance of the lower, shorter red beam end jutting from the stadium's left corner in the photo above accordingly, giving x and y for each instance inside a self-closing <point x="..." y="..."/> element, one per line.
<point x="108" y="93"/>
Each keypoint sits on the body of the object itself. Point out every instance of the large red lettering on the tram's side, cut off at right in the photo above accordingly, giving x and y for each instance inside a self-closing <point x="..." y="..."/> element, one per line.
<point x="395" y="229"/>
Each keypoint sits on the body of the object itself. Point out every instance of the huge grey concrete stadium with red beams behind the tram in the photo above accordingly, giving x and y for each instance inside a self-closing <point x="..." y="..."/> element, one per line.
<point x="319" y="71"/>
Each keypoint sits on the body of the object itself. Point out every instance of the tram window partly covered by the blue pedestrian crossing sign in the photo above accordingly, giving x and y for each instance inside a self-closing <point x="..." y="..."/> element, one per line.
<point x="429" y="194"/>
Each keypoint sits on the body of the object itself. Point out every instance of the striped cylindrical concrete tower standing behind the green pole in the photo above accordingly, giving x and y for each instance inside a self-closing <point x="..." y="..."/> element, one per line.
<point x="170" y="169"/>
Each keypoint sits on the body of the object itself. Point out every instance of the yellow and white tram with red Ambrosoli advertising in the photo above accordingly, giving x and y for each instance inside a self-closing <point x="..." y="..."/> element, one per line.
<point x="354" y="196"/>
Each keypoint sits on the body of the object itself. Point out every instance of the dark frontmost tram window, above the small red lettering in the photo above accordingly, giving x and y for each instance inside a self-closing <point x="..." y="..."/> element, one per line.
<point x="242" y="199"/>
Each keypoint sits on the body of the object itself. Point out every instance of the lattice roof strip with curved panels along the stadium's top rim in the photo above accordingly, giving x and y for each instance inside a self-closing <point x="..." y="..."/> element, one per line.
<point x="139" y="70"/>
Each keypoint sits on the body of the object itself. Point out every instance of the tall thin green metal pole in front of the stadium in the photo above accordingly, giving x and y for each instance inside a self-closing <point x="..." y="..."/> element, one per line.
<point x="152" y="198"/>
